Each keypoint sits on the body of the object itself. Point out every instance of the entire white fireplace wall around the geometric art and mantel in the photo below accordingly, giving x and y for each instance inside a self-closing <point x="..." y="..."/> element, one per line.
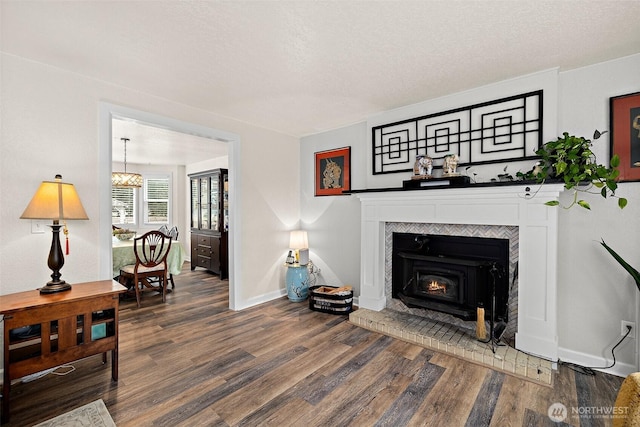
<point x="594" y="294"/>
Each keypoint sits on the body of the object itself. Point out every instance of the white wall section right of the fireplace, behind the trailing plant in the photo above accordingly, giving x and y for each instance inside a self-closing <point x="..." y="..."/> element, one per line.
<point x="595" y="294"/>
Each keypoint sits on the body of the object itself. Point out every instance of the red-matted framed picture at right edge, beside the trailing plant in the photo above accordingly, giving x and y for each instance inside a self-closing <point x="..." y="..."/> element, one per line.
<point x="625" y="134"/>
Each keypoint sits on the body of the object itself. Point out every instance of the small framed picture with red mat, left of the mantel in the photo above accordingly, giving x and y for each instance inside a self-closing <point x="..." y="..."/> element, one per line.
<point x="333" y="172"/>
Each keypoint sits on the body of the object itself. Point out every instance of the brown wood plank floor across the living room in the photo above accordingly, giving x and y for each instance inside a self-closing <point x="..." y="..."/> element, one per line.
<point x="192" y="362"/>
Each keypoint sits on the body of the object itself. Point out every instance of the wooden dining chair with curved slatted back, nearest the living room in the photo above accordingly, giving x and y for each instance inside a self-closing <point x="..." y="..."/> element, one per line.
<point x="149" y="273"/>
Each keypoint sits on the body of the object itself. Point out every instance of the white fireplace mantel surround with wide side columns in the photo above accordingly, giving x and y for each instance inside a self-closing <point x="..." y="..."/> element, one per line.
<point x="516" y="205"/>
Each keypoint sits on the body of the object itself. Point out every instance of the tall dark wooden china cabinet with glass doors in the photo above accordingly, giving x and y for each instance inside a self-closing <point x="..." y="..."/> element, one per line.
<point x="210" y="221"/>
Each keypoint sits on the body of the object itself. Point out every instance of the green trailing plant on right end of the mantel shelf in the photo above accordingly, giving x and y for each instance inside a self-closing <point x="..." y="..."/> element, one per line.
<point x="570" y="160"/>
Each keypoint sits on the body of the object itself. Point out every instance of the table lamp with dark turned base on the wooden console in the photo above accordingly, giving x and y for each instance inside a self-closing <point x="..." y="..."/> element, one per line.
<point x="55" y="200"/>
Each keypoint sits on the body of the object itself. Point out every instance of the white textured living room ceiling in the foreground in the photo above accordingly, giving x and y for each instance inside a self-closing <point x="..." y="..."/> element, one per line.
<point x="301" y="67"/>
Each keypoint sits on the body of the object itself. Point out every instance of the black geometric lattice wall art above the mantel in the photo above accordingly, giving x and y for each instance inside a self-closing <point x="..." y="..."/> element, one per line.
<point x="500" y="131"/>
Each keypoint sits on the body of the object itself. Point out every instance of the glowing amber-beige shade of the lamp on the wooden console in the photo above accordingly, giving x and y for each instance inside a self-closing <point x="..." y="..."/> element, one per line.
<point x="55" y="200"/>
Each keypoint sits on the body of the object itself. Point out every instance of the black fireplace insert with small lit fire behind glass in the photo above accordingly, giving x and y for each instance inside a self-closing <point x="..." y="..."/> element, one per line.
<point x="451" y="274"/>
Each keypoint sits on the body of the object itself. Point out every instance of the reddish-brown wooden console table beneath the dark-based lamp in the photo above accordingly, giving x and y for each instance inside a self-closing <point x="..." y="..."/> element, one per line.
<point x="45" y="331"/>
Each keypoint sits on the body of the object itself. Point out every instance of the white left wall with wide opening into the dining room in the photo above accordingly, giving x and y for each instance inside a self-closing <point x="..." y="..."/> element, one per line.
<point x="50" y="124"/>
